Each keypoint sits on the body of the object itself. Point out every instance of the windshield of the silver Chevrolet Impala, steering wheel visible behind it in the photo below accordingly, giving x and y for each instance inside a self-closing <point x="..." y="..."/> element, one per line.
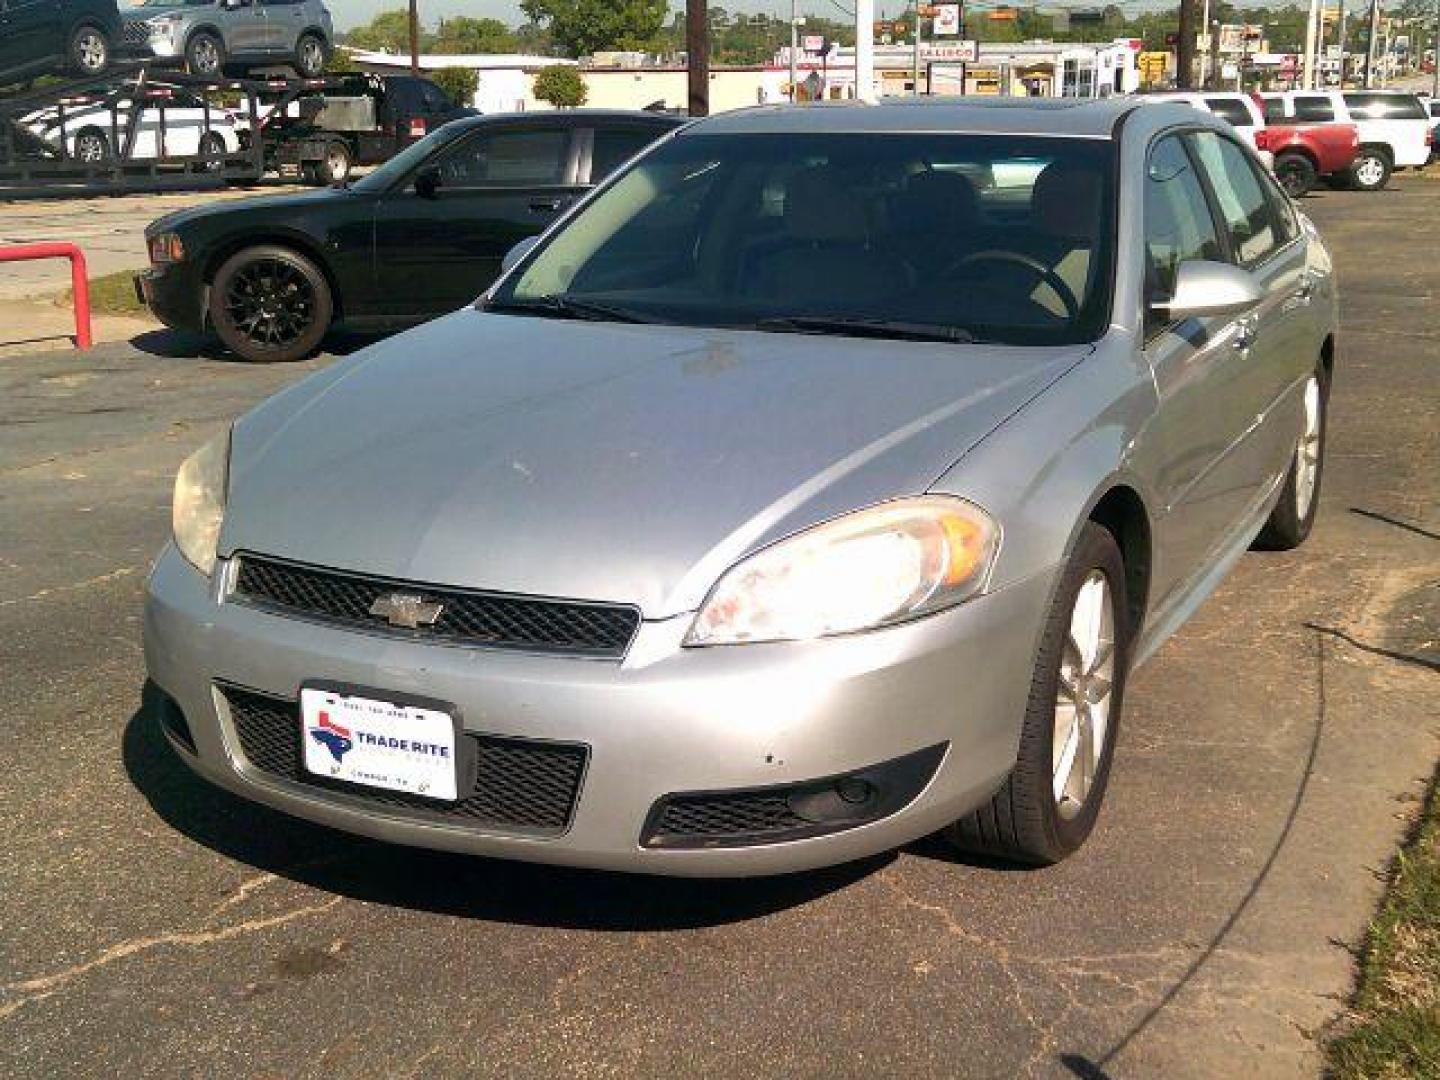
<point x="954" y="237"/>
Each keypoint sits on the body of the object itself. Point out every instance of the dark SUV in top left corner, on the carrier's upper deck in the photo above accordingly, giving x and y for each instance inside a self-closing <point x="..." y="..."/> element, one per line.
<point x="42" y="37"/>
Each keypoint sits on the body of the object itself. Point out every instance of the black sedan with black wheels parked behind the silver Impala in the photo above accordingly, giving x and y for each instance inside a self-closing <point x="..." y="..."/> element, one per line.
<point x="423" y="235"/>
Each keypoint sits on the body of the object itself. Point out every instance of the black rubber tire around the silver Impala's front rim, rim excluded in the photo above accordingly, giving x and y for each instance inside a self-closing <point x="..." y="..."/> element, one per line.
<point x="1023" y="823"/>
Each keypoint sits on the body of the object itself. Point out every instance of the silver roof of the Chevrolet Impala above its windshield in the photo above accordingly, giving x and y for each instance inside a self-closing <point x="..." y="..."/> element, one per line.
<point x="1074" y="117"/>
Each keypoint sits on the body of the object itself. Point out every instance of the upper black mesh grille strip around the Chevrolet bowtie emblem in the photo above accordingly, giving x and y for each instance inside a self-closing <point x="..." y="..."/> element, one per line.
<point x="472" y="618"/>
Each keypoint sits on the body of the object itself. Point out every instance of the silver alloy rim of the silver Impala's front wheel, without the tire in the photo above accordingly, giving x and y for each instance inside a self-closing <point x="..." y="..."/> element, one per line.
<point x="1084" y="696"/>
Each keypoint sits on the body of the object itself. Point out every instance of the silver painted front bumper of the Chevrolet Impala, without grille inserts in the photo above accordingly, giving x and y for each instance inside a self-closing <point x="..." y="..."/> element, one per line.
<point x="665" y="722"/>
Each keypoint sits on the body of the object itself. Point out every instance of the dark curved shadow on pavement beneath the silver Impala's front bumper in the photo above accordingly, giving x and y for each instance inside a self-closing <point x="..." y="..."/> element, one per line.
<point x="446" y="883"/>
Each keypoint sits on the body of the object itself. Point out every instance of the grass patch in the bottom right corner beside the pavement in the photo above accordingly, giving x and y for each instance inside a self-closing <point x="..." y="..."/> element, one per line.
<point x="1393" y="1026"/>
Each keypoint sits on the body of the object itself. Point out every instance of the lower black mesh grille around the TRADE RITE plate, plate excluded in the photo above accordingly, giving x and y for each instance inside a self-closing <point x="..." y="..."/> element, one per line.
<point x="521" y="786"/>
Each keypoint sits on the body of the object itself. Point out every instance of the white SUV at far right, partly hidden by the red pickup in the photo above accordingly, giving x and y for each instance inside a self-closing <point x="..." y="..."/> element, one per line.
<point x="1395" y="129"/>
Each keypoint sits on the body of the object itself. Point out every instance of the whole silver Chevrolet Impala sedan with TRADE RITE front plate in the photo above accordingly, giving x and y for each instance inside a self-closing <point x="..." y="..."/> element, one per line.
<point x="811" y="487"/>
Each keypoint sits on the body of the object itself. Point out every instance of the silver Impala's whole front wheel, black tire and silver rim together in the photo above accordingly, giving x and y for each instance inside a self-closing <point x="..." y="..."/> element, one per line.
<point x="1053" y="796"/>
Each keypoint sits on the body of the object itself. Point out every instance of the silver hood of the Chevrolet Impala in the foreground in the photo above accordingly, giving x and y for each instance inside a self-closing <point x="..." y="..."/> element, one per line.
<point x="603" y="462"/>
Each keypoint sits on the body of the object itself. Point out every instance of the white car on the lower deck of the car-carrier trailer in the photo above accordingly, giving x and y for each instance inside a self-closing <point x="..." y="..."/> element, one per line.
<point x="174" y="123"/>
